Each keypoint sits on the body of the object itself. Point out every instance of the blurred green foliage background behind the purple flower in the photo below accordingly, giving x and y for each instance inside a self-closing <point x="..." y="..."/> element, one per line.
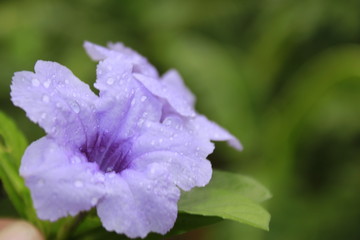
<point x="282" y="75"/>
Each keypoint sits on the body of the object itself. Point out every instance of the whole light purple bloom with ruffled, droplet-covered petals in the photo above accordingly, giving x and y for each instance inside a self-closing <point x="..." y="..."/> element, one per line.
<point x="126" y="152"/>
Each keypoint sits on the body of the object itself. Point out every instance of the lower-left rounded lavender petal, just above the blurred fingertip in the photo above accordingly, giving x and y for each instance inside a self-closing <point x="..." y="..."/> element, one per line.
<point x="62" y="182"/>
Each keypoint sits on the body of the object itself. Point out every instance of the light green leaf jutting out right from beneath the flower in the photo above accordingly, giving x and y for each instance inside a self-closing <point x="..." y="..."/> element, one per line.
<point x="229" y="196"/>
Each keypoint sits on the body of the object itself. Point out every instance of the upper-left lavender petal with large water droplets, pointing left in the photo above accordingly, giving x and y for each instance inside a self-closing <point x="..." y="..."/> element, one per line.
<point x="58" y="101"/>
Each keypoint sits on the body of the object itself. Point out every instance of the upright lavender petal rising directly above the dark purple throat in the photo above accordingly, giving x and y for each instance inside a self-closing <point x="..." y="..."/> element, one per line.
<point x="124" y="99"/>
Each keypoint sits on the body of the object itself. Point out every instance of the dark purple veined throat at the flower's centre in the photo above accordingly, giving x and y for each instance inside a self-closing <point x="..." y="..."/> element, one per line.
<point x="108" y="153"/>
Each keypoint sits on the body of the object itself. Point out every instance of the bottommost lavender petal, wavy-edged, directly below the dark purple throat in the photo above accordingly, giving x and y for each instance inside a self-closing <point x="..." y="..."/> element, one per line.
<point x="139" y="202"/>
